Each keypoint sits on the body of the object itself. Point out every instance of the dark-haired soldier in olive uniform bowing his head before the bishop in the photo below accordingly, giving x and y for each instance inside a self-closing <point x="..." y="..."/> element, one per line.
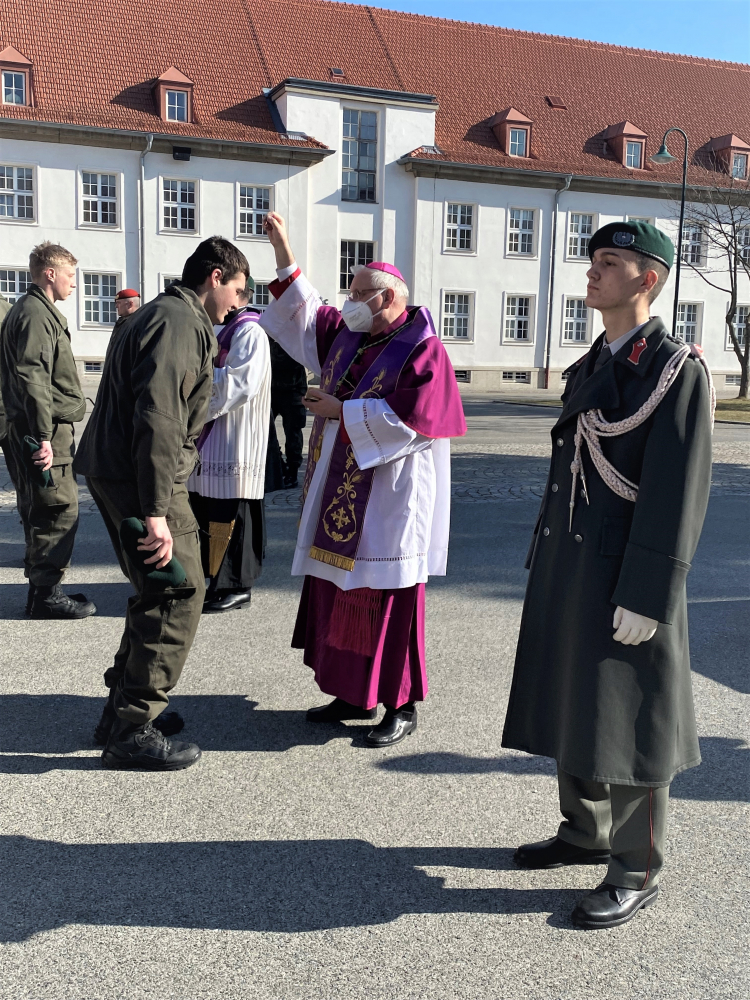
<point x="137" y="454"/>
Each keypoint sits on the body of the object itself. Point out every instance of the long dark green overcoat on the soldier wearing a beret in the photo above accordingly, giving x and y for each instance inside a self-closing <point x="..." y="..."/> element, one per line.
<point x="605" y="711"/>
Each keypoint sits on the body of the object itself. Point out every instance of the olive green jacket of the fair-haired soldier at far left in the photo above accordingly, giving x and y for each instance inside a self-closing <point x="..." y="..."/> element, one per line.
<point x="40" y="385"/>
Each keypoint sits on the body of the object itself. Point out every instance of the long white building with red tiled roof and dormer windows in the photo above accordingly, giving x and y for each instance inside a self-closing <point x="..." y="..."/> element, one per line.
<point x="486" y="211"/>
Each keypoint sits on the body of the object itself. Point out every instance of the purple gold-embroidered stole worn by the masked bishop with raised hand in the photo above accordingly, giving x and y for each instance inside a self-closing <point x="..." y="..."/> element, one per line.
<point x="347" y="488"/>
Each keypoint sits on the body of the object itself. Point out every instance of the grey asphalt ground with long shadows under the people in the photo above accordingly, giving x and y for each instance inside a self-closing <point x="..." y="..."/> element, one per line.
<point x="294" y="862"/>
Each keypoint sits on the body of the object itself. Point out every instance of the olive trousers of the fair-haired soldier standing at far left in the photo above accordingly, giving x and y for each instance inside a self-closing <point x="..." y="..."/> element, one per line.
<point x="51" y="512"/>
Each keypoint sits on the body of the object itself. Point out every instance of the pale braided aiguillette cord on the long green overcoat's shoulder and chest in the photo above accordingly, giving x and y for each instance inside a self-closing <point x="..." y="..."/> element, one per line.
<point x="591" y="426"/>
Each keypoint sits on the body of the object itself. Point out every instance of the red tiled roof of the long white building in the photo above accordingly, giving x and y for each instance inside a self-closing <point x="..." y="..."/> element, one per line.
<point x="98" y="69"/>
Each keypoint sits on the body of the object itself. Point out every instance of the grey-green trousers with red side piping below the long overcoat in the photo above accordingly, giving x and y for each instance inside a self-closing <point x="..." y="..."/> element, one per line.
<point x="628" y="820"/>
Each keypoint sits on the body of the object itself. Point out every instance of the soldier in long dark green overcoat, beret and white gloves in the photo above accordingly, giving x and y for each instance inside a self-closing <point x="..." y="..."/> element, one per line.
<point x="602" y="673"/>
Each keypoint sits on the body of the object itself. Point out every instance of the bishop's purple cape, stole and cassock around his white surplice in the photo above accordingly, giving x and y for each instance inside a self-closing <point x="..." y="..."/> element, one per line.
<point x="366" y="645"/>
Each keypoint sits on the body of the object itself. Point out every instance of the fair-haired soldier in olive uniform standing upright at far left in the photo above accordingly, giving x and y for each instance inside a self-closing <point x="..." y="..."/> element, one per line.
<point x="43" y="399"/>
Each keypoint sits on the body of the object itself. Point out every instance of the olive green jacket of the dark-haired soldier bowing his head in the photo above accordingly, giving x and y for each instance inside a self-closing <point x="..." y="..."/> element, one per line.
<point x="153" y="399"/>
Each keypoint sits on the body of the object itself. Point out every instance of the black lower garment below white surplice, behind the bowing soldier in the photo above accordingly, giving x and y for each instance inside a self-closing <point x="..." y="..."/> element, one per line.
<point x="242" y="562"/>
